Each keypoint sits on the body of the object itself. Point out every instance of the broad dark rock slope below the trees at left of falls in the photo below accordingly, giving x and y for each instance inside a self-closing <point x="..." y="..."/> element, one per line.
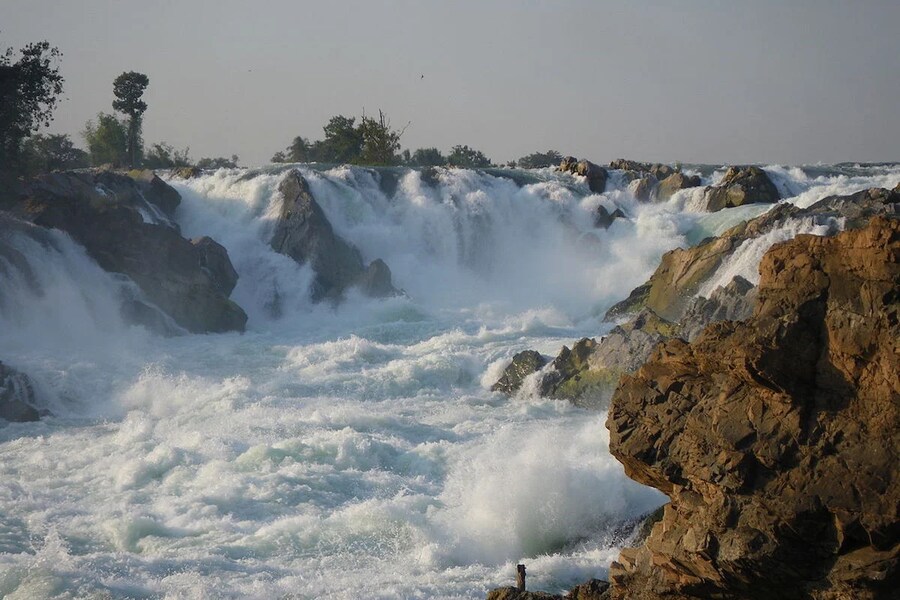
<point x="123" y="224"/>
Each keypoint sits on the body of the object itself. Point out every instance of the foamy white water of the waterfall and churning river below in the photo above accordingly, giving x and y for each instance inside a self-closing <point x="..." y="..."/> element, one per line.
<point x="342" y="453"/>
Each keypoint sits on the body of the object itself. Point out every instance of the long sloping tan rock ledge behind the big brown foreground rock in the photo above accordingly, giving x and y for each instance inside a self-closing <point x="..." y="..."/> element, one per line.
<point x="682" y="272"/>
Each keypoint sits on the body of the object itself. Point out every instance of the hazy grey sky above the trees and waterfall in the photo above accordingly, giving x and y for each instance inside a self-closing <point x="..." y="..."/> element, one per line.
<point x="764" y="81"/>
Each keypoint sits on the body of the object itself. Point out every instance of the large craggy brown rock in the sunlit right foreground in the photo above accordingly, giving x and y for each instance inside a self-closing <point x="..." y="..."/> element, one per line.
<point x="776" y="439"/>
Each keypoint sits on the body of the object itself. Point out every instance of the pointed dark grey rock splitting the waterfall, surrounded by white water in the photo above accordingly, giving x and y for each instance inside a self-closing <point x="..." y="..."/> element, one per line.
<point x="304" y="233"/>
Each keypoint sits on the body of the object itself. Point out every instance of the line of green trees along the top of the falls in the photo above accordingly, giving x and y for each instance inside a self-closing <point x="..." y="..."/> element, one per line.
<point x="30" y="88"/>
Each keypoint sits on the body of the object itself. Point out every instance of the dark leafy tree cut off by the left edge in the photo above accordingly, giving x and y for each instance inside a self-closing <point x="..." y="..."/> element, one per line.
<point x="29" y="92"/>
